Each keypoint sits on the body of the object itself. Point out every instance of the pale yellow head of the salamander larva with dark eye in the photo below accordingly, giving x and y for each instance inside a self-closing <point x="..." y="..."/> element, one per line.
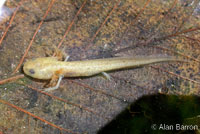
<point x="40" y="68"/>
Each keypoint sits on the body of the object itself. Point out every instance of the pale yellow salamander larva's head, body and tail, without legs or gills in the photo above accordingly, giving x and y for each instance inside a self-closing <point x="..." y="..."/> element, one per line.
<point x="46" y="68"/>
